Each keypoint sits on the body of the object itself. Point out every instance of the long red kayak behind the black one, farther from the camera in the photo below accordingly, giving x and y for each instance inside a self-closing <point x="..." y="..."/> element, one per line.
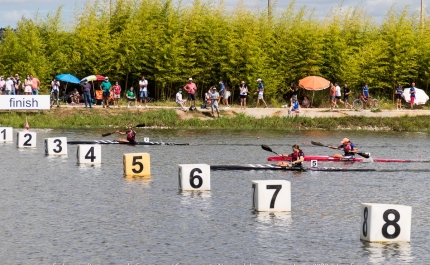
<point x="336" y="159"/>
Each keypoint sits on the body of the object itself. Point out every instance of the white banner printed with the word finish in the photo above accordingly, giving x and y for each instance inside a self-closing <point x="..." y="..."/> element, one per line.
<point x="25" y="102"/>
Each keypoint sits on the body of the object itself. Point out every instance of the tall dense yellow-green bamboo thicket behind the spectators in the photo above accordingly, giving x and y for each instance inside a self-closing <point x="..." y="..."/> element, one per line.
<point x="169" y="42"/>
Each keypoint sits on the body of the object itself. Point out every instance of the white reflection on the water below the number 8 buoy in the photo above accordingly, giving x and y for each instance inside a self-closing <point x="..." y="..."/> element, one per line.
<point x="392" y="253"/>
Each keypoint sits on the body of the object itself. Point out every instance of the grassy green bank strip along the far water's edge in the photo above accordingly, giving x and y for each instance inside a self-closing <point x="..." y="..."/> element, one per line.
<point x="101" y="118"/>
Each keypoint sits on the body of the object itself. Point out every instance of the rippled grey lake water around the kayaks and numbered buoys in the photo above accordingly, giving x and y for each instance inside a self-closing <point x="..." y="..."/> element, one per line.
<point x="56" y="211"/>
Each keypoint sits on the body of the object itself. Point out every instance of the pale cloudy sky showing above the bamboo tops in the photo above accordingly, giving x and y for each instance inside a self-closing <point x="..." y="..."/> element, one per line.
<point x="13" y="10"/>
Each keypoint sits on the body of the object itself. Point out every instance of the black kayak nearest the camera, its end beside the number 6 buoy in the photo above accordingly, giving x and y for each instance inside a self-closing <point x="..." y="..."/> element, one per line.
<point x="273" y="167"/>
